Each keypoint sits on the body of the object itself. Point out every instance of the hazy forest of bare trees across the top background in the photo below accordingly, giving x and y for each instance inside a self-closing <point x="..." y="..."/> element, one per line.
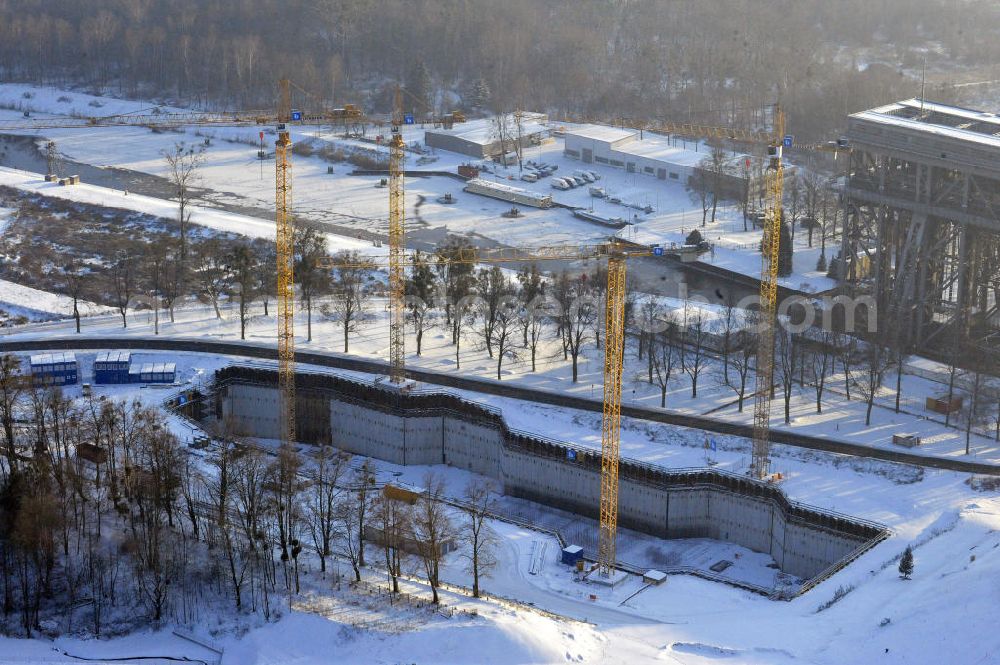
<point x="619" y="57"/>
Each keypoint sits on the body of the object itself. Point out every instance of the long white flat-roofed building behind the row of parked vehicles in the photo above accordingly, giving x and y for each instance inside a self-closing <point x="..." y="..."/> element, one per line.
<point x="637" y="152"/>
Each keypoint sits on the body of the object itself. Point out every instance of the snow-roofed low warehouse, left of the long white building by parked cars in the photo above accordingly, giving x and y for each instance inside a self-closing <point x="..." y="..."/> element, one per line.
<point x="481" y="138"/>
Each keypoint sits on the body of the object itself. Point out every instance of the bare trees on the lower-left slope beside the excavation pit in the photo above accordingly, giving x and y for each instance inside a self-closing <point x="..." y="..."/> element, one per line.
<point x="108" y="523"/>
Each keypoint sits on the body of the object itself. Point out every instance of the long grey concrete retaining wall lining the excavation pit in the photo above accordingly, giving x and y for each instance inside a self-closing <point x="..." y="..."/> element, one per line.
<point x="427" y="429"/>
